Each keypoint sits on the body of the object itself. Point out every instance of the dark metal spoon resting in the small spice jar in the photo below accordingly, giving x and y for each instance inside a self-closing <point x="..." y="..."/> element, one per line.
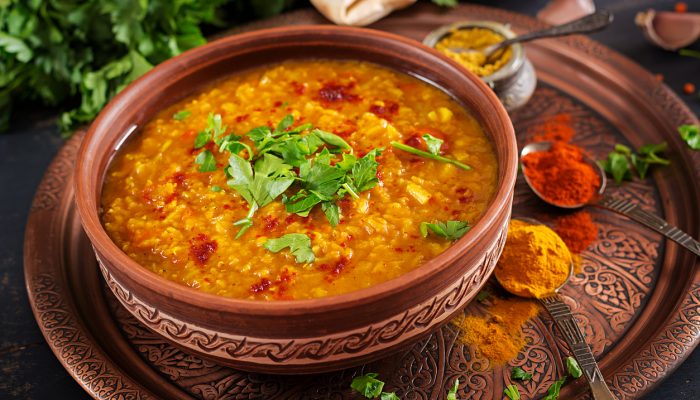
<point x="590" y="23"/>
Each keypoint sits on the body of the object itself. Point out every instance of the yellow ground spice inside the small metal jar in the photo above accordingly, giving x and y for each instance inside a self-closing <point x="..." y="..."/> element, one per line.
<point x="474" y="38"/>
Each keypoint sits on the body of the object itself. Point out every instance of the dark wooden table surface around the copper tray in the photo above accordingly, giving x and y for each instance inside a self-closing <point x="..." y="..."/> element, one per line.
<point x="28" y="369"/>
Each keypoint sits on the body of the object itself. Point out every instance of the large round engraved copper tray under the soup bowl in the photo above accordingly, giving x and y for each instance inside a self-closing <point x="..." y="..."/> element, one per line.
<point x="637" y="298"/>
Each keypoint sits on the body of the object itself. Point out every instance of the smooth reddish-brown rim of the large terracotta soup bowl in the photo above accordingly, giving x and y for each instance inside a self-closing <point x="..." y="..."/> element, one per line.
<point x="104" y="245"/>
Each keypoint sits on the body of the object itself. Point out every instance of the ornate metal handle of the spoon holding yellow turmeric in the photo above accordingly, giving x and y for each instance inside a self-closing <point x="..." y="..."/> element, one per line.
<point x="561" y="313"/>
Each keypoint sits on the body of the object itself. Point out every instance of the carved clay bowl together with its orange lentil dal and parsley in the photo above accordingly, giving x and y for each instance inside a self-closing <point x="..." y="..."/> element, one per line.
<point x="298" y="199"/>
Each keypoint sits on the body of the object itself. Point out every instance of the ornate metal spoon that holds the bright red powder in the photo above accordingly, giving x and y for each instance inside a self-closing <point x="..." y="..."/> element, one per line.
<point x="620" y="206"/>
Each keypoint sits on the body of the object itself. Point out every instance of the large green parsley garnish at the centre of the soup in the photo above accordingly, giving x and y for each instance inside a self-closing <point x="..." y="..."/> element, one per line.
<point x="263" y="175"/>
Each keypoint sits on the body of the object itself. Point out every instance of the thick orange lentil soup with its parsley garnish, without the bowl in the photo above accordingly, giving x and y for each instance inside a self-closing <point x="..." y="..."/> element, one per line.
<point x="385" y="172"/>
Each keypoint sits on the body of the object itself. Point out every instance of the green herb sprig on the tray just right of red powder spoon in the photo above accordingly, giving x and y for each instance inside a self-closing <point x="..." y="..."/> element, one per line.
<point x="618" y="162"/>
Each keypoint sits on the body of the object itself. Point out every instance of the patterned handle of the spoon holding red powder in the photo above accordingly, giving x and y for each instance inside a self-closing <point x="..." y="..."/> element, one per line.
<point x="635" y="213"/>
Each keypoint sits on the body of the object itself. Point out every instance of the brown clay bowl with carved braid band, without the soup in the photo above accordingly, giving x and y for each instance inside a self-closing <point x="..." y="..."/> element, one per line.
<point x="302" y="336"/>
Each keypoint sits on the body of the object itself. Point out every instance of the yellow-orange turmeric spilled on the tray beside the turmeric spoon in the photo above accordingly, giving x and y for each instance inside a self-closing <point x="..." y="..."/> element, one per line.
<point x="498" y="335"/>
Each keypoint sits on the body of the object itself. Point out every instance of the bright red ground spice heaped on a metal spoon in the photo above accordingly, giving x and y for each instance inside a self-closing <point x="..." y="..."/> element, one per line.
<point x="561" y="175"/>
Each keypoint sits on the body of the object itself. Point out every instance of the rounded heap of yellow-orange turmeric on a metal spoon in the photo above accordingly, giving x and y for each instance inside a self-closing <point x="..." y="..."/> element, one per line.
<point x="535" y="261"/>
